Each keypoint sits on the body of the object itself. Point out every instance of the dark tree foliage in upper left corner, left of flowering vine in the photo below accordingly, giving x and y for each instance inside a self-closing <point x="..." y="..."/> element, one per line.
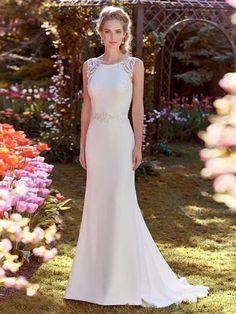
<point x="23" y="42"/>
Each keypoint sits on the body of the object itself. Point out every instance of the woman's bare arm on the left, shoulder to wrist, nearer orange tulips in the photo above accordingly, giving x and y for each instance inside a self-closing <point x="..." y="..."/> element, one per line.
<point x="86" y="109"/>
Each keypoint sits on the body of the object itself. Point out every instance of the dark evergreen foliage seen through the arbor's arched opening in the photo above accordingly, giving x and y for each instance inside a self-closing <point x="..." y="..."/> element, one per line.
<point x="202" y="54"/>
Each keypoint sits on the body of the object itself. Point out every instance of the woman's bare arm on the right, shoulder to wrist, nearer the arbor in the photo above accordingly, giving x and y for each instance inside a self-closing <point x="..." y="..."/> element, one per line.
<point x="137" y="102"/>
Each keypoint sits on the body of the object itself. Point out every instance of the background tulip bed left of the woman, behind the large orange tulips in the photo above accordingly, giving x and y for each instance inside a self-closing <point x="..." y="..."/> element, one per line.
<point x="37" y="112"/>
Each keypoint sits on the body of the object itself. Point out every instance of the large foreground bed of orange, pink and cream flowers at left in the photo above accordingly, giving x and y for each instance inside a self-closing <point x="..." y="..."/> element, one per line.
<point x="29" y="210"/>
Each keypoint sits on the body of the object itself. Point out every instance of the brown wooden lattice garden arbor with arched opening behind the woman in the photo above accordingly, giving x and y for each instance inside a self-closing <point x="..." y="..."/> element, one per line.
<point x="166" y="19"/>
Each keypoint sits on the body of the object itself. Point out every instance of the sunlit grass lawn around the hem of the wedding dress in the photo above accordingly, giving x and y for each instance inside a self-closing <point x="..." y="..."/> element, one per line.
<point x="195" y="235"/>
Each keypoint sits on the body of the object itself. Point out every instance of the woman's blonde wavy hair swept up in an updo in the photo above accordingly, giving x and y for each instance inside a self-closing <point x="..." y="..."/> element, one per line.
<point x="116" y="13"/>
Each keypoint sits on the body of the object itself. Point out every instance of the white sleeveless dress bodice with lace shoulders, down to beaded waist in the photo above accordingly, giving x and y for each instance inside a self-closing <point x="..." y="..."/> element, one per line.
<point x="110" y="88"/>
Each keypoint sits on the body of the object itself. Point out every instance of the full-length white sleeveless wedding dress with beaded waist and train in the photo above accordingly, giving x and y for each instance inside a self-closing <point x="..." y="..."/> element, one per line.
<point x="116" y="260"/>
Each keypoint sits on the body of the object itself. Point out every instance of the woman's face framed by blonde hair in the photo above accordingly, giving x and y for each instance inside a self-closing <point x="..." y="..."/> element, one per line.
<point x="112" y="34"/>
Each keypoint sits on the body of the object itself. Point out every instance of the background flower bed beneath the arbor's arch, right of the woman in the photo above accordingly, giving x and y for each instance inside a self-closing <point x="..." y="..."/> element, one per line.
<point x="178" y="119"/>
